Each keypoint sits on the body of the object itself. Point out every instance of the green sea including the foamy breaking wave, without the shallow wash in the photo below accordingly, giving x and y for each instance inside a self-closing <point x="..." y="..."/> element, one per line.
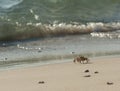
<point x="23" y="19"/>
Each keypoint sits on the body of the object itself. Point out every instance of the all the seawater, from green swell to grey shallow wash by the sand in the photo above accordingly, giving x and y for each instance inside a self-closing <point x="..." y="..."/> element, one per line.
<point x="37" y="31"/>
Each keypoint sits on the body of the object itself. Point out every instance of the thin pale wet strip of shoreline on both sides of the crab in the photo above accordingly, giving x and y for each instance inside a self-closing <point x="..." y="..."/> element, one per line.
<point x="49" y="62"/>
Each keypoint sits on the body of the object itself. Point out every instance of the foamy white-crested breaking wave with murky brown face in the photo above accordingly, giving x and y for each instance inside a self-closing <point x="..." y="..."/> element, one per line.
<point x="38" y="30"/>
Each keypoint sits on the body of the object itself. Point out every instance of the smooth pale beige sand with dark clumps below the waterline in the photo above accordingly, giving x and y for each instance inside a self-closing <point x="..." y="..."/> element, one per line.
<point x="64" y="77"/>
